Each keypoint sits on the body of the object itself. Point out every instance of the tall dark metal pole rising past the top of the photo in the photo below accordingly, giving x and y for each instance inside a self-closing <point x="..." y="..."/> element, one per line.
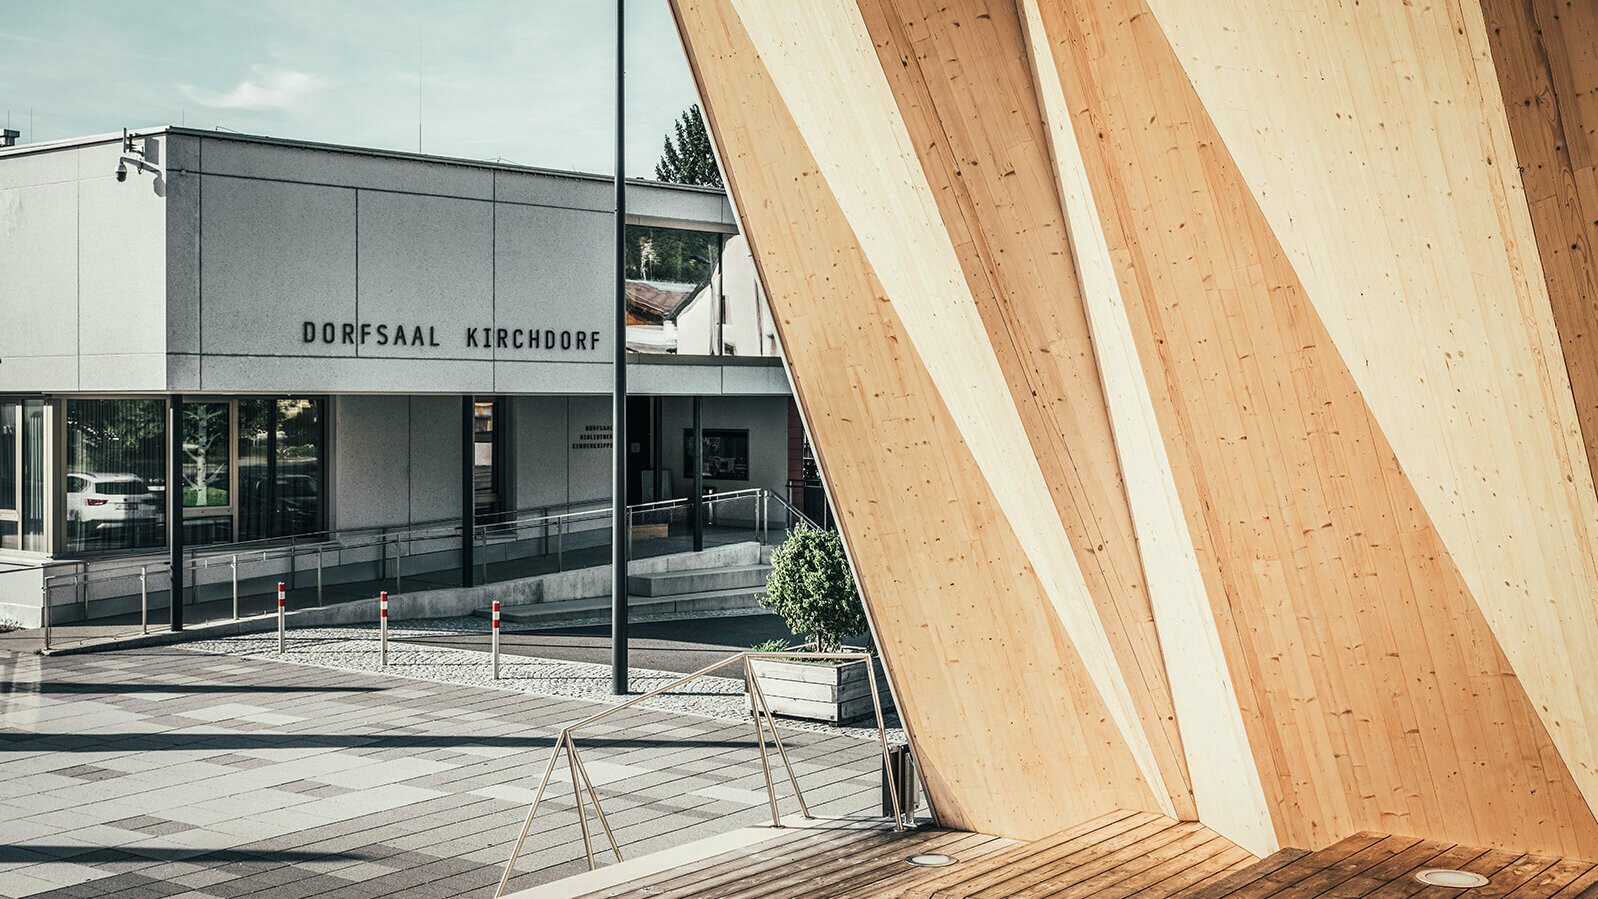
<point x="619" y="397"/>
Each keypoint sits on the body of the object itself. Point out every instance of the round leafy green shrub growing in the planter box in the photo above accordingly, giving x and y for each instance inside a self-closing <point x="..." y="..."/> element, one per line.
<point x="814" y="592"/>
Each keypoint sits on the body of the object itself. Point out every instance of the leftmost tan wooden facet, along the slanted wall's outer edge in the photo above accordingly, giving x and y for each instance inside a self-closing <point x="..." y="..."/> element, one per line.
<point x="993" y="691"/>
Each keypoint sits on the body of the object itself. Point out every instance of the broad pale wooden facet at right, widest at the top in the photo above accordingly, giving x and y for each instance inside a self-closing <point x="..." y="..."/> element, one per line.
<point x="1394" y="194"/>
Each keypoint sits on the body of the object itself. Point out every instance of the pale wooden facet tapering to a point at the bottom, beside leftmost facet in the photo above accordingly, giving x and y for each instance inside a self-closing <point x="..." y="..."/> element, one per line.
<point x="870" y="165"/>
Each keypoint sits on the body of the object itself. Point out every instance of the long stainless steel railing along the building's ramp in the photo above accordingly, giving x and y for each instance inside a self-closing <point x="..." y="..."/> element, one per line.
<point x="388" y="549"/>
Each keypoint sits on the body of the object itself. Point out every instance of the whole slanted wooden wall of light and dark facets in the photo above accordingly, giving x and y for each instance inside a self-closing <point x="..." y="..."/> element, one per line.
<point x="1202" y="387"/>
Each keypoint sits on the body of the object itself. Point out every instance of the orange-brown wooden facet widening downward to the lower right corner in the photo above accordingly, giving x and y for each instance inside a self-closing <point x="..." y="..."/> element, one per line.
<point x="1375" y="691"/>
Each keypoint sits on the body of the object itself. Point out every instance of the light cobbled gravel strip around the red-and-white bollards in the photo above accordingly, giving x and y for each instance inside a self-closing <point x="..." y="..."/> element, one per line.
<point x="356" y="648"/>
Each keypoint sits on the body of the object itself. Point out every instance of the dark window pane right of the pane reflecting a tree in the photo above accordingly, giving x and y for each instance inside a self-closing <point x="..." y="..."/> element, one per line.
<point x="280" y="457"/>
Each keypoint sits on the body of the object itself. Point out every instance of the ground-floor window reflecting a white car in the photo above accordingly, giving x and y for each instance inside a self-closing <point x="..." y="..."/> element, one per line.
<point x="116" y="473"/>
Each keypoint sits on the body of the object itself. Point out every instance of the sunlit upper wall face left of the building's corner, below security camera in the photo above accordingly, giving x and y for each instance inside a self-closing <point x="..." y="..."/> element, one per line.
<point x="82" y="271"/>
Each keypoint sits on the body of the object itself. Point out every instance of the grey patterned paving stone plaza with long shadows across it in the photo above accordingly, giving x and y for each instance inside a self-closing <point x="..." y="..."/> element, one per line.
<point x="175" y="772"/>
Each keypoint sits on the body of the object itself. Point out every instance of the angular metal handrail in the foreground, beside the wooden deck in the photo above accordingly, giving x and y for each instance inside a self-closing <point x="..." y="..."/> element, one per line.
<point x="758" y="708"/>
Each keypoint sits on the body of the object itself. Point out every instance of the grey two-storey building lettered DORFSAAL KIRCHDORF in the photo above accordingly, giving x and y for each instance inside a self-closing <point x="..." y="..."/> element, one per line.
<point x="330" y="319"/>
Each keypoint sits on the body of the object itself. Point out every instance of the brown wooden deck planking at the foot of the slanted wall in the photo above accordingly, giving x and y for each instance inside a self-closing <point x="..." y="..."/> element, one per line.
<point x="1113" y="857"/>
